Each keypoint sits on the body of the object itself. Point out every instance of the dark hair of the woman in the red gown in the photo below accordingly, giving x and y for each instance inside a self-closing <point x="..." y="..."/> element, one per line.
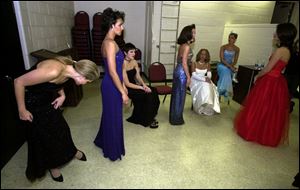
<point x="286" y="33"/>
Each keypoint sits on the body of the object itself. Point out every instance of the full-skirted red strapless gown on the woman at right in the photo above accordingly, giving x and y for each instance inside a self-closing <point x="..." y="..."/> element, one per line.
<point x="264" y="116"/>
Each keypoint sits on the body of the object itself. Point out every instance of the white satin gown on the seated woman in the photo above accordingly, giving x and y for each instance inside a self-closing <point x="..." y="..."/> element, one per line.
<point x="204" y="95"/>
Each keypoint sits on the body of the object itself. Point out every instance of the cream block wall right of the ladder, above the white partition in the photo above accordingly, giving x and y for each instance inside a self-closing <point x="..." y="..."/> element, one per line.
<point x="210" y="18"/>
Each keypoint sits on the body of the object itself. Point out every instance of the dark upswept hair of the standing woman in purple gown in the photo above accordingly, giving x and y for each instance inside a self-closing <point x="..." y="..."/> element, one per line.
<point x="110" y="17"/>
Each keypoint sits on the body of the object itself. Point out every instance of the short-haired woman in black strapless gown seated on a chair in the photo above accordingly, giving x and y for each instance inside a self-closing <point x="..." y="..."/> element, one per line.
<point x="145" y="99"/>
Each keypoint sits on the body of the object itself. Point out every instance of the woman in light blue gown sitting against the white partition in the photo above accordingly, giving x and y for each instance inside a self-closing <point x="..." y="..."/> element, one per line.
<point x="229" y="54"/>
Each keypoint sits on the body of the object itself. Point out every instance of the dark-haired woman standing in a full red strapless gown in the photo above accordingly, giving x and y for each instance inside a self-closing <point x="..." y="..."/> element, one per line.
<point x="264" y="116"/>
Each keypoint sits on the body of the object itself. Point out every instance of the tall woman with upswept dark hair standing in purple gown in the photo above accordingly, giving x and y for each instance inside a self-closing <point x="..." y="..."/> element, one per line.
<point x="110" y="137"/>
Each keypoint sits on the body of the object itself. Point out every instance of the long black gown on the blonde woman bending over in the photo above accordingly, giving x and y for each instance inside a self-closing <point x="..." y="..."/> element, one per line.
<point x="50" y="144"/>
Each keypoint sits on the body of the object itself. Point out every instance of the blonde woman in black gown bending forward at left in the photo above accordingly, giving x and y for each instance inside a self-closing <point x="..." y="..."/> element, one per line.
<point x="50" y="143"/>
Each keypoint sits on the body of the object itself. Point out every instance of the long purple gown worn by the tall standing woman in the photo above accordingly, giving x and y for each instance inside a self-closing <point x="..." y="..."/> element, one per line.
<point x="110" y="135"/>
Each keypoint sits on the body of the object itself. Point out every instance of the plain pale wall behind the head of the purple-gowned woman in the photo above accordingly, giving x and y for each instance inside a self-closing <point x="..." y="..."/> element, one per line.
<point x="135" y="17"/>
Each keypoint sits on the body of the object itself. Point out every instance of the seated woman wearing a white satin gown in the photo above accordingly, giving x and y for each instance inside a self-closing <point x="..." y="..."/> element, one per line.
<point x="204" y="93"/>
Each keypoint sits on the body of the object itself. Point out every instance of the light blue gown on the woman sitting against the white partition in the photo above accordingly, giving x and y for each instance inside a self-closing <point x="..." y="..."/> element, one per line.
<point x="224" y="84"/>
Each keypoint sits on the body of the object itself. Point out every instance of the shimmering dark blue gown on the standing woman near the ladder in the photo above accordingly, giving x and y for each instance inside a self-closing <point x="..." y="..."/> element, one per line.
<point x="178" y="95"/>
